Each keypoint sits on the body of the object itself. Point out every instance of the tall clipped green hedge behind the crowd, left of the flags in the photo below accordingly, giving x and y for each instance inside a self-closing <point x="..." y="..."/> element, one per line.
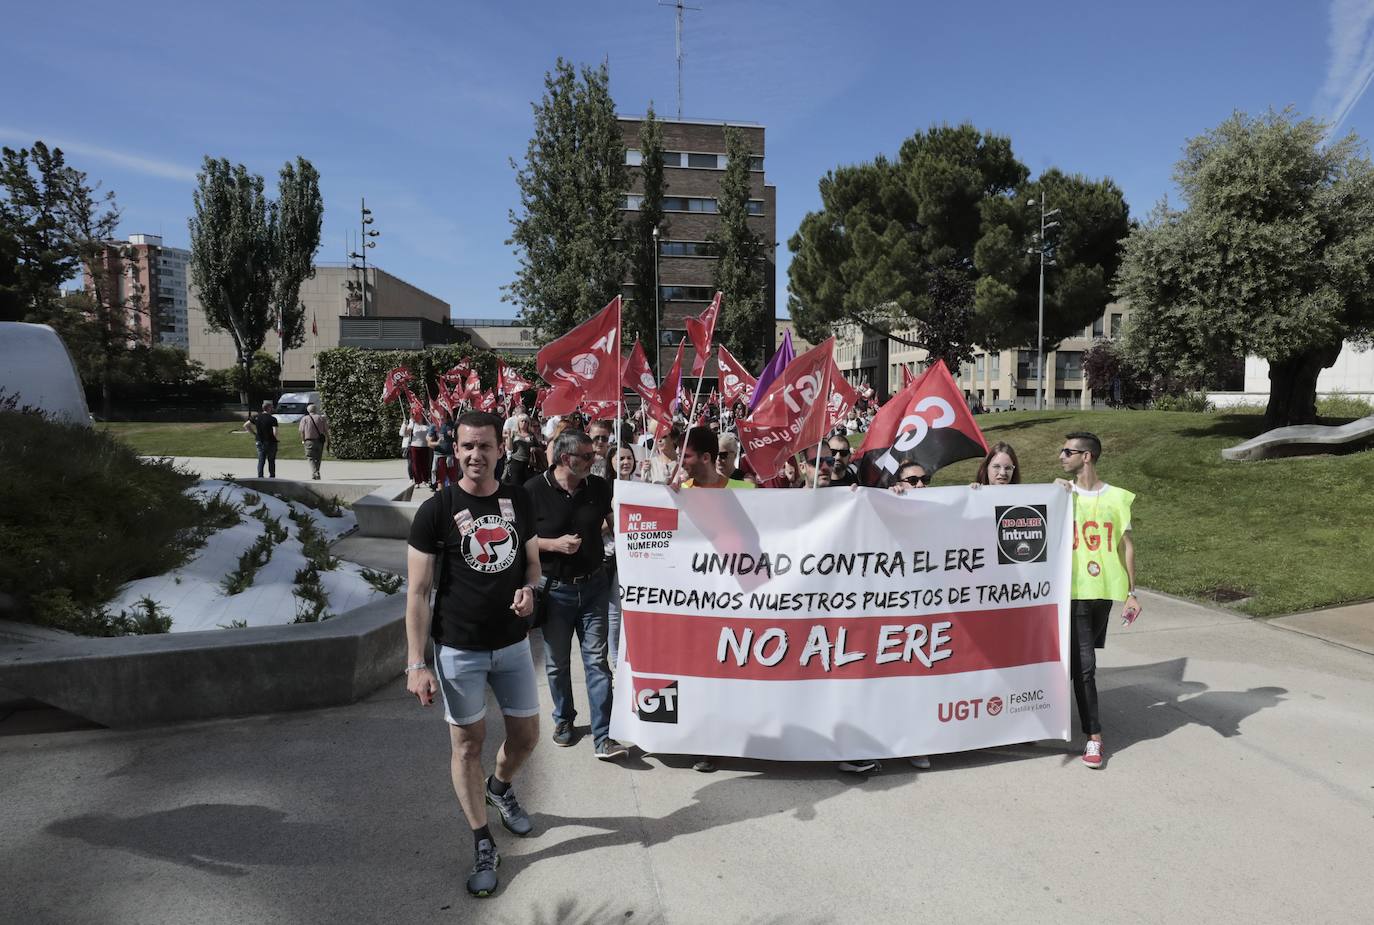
<point x="351" y="388"/>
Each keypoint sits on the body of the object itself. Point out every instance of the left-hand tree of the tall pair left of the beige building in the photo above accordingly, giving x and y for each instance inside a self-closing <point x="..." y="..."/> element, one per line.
<point x="232" y="258"/>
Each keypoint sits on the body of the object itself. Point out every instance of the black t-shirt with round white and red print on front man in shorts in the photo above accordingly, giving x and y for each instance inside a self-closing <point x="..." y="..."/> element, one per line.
<point x="484" y="564"/>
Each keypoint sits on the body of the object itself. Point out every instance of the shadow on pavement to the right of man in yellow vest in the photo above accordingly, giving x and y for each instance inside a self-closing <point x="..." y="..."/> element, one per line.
<point x="1152" y="702"/>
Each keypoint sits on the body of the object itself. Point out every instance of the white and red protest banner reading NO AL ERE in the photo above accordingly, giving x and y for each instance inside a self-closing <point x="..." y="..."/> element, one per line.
<point x="842" y="625"/>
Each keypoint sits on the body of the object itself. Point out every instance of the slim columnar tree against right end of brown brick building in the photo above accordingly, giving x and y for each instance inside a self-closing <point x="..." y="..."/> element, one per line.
<point x="739" y="271"/>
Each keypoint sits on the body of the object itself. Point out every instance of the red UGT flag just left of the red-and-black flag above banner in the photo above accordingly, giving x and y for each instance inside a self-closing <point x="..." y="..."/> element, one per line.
<point x="796" y="412"/>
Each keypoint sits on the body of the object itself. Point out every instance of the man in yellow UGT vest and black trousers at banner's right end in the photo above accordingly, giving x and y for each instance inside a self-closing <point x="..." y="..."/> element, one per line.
<point x="1104" y="572"/>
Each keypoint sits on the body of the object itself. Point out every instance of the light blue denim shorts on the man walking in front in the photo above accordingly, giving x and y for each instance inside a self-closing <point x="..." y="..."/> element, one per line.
<point x="465" y="674"/>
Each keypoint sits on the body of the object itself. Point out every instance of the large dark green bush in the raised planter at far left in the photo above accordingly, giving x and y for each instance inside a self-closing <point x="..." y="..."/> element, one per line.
<point x="82" y="515"/>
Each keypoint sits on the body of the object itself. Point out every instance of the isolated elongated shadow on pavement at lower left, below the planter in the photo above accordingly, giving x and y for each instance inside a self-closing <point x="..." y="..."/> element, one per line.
<point x="223" y="839"/>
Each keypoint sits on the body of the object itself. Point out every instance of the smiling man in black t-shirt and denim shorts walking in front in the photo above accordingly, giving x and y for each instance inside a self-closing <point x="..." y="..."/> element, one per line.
<point x="479" y="538"/>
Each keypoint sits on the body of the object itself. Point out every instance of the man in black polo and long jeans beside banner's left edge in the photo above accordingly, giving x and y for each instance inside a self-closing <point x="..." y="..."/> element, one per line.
<point x="571" y="509"/>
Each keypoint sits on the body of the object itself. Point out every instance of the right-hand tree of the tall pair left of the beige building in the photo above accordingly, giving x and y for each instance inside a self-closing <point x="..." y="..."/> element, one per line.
<point x="296" y="221"/>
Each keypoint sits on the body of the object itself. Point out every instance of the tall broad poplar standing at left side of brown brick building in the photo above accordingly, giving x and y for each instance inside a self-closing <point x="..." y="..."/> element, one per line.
<point x="572" y="185"/>
